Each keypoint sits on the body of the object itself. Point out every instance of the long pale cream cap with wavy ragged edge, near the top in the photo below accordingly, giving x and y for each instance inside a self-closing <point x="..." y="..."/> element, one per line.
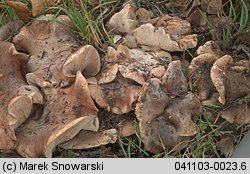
<point x="148" y="35"/>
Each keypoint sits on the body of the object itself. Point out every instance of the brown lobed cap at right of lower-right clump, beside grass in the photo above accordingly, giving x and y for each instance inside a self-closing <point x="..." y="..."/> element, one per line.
<point x="179" y="112"/>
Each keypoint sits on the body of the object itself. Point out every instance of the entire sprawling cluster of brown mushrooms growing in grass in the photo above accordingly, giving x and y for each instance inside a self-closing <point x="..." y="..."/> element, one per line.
<point x="50" y="93"/>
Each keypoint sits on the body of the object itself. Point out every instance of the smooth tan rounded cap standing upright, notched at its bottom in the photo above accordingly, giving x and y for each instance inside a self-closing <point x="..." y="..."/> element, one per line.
<point x="85" y="59"/>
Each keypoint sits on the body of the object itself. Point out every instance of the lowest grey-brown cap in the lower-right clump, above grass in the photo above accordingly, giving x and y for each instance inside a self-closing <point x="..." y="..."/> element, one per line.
<point x="159" y="134"/>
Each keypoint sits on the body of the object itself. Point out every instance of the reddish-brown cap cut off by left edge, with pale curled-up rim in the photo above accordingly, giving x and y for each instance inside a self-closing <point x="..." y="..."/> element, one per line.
<point x="16" y="96"/>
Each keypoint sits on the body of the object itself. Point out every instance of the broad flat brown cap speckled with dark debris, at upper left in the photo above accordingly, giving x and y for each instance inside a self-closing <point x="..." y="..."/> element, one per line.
<point x="47" y="43"/>
